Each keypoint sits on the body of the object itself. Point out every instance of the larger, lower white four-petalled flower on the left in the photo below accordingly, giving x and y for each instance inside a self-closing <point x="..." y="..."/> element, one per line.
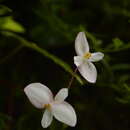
<point x="41" y="97"/>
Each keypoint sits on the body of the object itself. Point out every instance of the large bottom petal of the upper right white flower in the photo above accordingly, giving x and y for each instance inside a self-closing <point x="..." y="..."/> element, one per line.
<point x="88" y="71"/>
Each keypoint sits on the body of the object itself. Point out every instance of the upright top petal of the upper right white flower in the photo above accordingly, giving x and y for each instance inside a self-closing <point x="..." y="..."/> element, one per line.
<point x="81" y="44"/>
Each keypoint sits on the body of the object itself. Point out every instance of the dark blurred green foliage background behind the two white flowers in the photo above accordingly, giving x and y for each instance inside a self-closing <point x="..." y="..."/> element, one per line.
<point x="37" y="45"/>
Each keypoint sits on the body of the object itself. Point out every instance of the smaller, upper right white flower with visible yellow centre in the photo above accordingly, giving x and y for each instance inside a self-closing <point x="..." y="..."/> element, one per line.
<point x="84" y="59"/>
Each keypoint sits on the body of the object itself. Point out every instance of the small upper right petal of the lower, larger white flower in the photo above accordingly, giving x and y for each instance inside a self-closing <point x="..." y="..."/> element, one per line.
<point x="62" y="95"/>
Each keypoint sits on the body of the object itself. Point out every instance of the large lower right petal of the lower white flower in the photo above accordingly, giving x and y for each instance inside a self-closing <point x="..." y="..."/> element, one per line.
<point x="65" y="113"/>
